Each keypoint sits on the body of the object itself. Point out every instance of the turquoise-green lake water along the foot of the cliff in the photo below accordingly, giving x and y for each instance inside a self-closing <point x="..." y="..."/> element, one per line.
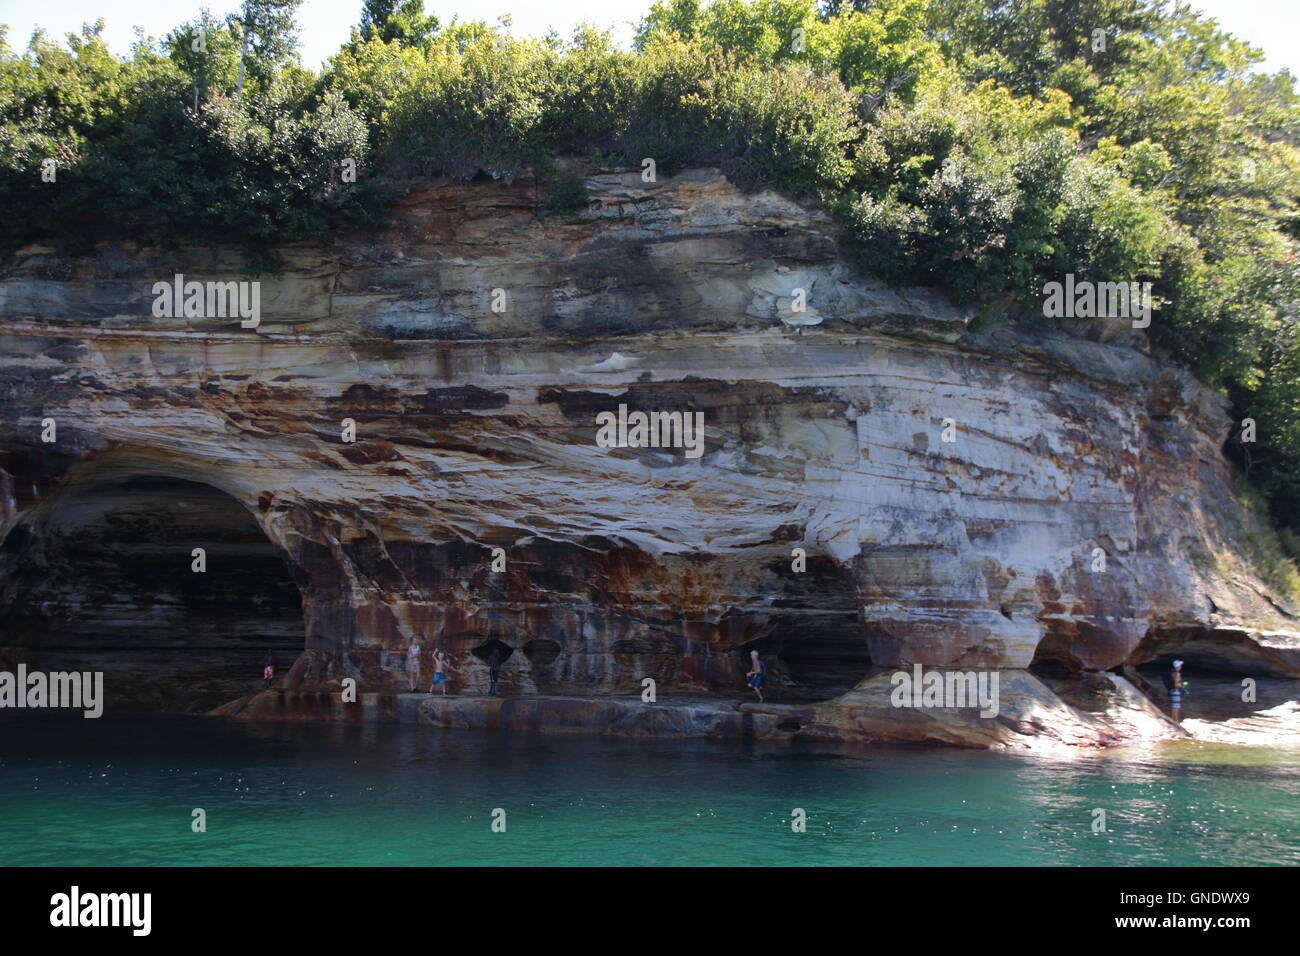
<point x="122" y="793"/>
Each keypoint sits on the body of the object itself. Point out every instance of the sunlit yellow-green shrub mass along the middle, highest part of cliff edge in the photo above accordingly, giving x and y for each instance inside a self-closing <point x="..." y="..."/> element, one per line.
<point x="479" y="103"/>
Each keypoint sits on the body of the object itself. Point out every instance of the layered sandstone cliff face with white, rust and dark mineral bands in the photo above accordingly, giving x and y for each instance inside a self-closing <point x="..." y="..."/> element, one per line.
<point x="878" y="485"/>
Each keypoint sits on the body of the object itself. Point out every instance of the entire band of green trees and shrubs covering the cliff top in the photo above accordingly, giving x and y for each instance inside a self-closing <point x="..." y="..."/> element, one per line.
<point x="978" y="146"/>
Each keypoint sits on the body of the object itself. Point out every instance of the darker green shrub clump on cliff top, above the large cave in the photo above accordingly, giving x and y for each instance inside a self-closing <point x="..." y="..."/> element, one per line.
<point x="133" y="158"/>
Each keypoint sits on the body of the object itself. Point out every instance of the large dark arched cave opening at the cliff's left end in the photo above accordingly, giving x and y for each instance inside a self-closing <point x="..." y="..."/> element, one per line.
<point x="103" y="579"/>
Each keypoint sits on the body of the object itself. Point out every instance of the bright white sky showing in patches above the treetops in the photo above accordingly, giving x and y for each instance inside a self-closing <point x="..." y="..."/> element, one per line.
<point x="1272" y="25"/>
